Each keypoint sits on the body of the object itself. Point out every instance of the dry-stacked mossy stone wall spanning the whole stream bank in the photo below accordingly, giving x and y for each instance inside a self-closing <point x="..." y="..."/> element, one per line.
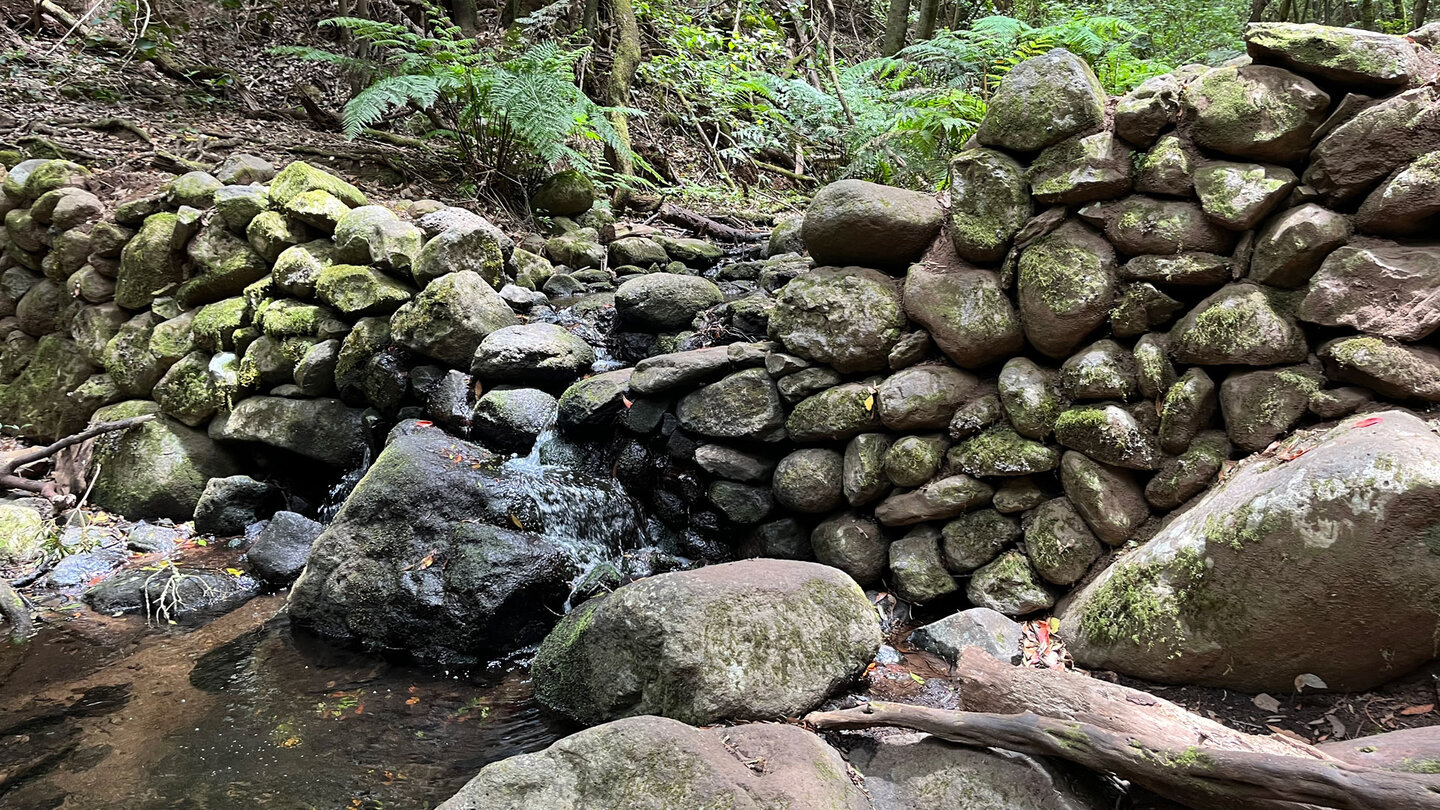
<point x="974" y="393"/>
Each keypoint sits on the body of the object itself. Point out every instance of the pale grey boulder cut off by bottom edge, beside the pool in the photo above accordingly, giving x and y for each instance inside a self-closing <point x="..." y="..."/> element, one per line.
<point x="662" y="765"/>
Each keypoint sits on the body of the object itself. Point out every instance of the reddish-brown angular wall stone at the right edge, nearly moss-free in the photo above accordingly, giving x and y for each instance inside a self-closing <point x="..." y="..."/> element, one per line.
<point x="1383" y="289"/>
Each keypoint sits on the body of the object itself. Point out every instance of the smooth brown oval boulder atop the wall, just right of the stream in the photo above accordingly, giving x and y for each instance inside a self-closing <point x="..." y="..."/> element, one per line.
<point x="853" y="223"/>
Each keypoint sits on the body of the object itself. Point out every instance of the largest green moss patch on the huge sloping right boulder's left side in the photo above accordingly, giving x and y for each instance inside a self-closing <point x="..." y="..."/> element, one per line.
<point x="1144" y="603"/>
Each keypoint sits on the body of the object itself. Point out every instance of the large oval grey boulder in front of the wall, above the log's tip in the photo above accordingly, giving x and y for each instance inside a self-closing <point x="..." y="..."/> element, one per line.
<point x="742" y="641"/>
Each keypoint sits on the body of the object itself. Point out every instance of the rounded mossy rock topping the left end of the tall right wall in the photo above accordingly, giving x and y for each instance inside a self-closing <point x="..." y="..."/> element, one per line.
<point x="1043" y="102"/>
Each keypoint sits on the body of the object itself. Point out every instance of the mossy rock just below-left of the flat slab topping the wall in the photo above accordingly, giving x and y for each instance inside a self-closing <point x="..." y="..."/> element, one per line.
<point x="1255" y="112"/>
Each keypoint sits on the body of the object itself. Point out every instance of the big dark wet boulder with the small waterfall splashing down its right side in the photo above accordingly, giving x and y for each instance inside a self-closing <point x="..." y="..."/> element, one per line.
<point x="428" y="556"/>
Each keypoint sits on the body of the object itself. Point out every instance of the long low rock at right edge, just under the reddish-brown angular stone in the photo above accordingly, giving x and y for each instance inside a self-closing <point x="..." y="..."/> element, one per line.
<point x="1389" y="368"/>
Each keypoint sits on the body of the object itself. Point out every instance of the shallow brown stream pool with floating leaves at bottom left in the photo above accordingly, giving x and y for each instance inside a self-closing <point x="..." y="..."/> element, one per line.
<point x="102" y="713"/>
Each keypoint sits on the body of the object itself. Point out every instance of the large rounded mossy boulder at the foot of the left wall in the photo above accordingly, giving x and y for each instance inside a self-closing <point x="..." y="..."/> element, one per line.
<point x="158" y="469"/>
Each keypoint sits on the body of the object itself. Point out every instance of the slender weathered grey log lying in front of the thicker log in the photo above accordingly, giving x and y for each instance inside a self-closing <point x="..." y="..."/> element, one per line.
<point x="1196" y="776"/>
